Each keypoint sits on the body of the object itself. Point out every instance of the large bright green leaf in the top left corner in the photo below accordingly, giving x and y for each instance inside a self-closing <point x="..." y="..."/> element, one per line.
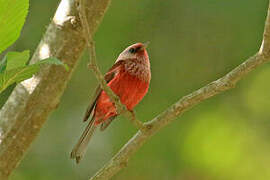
<point x="12" y="18"/>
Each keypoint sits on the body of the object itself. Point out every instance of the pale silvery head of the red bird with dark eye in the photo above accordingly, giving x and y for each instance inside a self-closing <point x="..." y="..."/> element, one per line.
<point x="137" y="51"/>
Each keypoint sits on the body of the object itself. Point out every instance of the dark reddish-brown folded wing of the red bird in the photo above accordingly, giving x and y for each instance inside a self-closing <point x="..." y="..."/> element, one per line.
<point x="108" y="77"/>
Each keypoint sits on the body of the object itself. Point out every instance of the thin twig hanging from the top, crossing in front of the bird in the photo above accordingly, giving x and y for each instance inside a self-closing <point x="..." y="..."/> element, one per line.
<point x="121" y="109"/>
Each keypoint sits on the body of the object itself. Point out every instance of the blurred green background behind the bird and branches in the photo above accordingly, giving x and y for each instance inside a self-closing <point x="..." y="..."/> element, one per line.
<point x="193" y="42"/>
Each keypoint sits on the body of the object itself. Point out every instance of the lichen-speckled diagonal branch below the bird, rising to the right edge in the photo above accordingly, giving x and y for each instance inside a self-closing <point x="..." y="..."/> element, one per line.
<point x="227" y="82"/>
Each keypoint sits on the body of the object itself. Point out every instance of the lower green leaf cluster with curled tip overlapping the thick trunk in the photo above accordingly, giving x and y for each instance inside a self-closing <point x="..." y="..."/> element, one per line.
<point x="20" y="71"/>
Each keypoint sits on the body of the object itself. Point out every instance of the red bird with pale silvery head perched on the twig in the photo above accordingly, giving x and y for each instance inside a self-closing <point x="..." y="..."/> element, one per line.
<point x="129" y="79"/>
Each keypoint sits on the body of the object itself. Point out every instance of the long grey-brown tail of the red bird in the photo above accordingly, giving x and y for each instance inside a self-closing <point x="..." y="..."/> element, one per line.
<point x="81" y="146"/>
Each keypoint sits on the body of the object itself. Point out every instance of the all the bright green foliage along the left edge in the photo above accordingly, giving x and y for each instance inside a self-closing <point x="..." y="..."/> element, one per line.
<point x="13" y="67"/>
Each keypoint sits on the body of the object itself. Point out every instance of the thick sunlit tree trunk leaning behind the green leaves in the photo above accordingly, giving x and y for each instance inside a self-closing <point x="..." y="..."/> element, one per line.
<point x="31" y="102"/>
